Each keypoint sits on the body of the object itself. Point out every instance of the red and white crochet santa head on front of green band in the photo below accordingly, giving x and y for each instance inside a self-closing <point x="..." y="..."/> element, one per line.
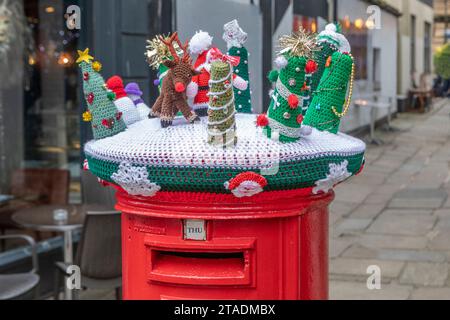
<point x="246" y="184"/>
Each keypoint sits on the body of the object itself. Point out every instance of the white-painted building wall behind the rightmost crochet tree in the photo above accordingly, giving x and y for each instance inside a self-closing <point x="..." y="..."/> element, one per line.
<point x="386" y="40"/>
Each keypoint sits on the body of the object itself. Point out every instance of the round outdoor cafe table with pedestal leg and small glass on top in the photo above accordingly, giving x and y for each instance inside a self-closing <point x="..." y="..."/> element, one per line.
<point x="40" y="218"/>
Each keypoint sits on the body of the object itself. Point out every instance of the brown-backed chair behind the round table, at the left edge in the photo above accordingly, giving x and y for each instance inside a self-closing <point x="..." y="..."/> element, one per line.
<point x="34" y="187"/>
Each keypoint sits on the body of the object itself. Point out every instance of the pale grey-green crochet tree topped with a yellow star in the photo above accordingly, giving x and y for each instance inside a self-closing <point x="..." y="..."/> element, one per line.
<point x="105" y="119"/>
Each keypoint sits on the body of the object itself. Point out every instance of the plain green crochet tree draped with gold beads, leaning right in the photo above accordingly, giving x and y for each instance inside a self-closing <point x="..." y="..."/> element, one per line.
<point x="329" y="104"/>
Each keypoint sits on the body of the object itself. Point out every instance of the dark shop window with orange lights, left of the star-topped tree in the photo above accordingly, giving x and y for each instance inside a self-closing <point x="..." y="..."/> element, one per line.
<point x="51" y="115"/>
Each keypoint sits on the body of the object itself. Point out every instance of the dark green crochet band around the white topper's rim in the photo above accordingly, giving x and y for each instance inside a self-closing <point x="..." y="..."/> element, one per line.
<point x="290" y="176"/>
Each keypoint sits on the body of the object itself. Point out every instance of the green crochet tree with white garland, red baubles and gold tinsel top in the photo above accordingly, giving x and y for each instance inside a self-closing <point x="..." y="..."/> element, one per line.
<point x="292" y="91"/>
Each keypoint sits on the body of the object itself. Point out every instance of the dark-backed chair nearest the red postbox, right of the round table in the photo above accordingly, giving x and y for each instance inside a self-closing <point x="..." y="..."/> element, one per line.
<point x="98" y="254"/>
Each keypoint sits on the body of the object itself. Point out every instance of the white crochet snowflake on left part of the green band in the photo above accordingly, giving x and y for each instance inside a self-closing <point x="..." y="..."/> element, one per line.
<point x="134" y="180"/>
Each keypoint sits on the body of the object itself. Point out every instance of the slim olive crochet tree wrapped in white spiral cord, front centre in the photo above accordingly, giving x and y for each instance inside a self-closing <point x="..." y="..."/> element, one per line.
<point x="221" y="109"/>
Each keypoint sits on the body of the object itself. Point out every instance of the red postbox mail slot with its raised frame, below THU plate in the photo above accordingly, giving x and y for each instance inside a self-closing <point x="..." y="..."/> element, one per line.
<point x="213" y="263"/>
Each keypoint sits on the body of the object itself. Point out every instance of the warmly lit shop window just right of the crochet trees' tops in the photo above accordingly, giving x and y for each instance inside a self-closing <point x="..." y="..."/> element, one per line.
<point x="357" y="34"/>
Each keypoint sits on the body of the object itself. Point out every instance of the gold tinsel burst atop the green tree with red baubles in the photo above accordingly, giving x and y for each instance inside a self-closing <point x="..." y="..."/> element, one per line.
<point x="300" y="43"/>
